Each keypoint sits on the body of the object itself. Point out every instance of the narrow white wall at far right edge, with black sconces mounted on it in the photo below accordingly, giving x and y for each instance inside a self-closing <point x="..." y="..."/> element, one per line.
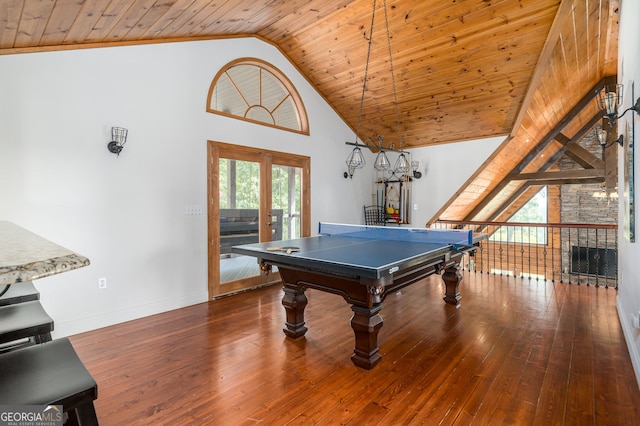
<point x="628" y="301"/>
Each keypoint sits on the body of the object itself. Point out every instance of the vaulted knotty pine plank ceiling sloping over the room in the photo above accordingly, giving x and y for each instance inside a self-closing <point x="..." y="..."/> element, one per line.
<point x="463" y="69"/>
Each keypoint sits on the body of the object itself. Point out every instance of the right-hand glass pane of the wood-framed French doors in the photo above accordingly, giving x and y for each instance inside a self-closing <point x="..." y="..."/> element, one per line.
<point x="286" y="196"/>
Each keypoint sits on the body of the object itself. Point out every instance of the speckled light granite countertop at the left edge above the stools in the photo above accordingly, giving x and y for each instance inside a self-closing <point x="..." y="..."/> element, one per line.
<point x="25" y="256"/>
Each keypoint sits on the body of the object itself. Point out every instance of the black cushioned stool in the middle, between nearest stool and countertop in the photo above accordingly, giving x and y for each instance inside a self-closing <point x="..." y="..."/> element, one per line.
<point x="25" y="320"/>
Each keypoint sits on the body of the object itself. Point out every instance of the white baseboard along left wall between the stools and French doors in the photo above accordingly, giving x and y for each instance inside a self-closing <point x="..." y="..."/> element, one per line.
<point x="81" y="325"/>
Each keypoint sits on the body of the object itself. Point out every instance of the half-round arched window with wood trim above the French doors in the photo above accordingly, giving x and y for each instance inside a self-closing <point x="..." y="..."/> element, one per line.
<point x="253" y="90"/>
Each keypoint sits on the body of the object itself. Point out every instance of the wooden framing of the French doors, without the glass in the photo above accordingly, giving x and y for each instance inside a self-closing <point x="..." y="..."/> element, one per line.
<point x="266" y="158"/>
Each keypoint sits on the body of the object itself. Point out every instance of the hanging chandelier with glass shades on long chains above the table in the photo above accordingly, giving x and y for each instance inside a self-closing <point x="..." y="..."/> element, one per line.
<point x="382" y="163"/>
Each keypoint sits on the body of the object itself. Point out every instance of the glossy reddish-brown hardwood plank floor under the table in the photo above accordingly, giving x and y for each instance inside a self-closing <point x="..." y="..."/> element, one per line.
<point x="515" y="352"/>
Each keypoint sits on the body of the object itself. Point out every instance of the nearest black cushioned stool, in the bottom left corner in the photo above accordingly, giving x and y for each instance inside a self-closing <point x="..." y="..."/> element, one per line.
<point x="49" y="374"/>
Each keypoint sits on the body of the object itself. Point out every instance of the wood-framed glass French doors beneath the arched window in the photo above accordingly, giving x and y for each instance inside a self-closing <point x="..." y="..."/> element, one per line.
<point x="254" y="195"/>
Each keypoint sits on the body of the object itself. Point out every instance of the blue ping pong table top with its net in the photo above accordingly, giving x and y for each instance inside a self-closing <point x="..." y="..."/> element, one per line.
<point x="366" y="251"/>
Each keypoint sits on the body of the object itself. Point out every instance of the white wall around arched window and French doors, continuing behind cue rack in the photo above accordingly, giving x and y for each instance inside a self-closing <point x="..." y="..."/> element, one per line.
<point x="127" y="213"/>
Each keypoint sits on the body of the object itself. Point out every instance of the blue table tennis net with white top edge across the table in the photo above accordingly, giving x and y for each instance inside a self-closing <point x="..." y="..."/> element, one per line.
<point x="420" y="235"/>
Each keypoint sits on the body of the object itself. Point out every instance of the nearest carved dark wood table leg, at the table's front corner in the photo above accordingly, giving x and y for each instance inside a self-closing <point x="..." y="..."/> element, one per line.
<point x="366" y="323"/>
